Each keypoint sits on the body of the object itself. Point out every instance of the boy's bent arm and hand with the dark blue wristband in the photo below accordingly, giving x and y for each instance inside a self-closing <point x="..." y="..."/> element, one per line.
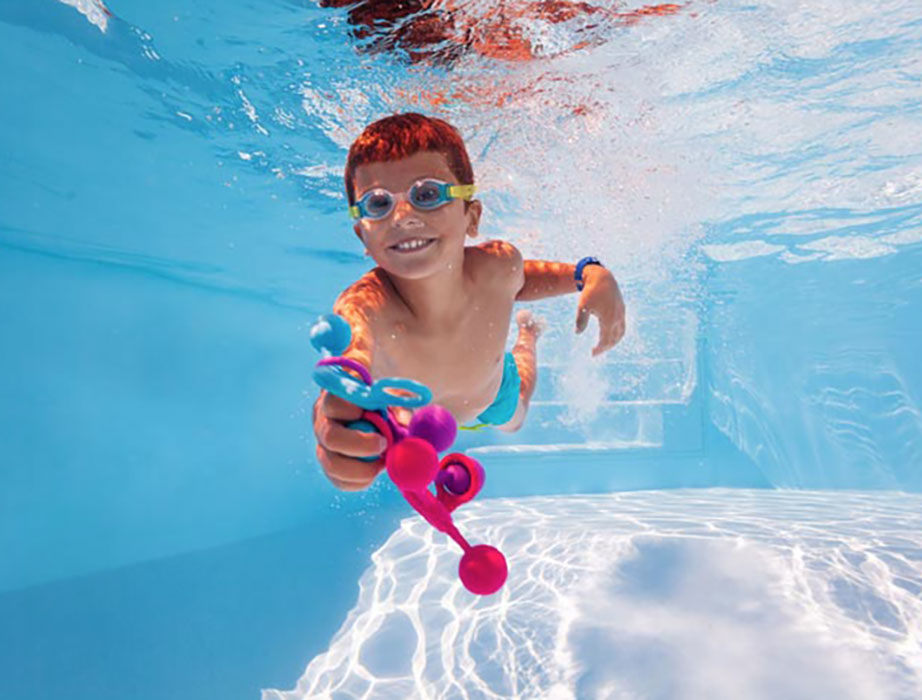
<point x="600" y="297"/>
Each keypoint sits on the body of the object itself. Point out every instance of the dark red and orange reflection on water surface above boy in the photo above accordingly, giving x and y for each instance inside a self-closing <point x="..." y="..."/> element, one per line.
<point x="443" y="30"/>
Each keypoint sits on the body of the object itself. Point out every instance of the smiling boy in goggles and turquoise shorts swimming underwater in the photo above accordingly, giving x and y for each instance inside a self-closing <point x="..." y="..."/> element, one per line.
<point x="434" y="310"/>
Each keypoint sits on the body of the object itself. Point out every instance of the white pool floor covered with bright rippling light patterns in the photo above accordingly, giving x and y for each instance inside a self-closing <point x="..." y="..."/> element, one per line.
<point x="683" y="594"/>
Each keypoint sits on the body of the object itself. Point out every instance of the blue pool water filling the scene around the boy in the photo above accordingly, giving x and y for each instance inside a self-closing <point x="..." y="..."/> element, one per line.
<point x="726" y="505"/>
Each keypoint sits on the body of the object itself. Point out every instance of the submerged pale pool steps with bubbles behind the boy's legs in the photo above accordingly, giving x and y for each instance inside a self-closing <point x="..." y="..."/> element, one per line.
<point x="615" y="402"/>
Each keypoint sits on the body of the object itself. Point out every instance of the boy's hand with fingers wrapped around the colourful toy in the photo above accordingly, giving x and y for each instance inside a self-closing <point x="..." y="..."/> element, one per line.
<point x="338" y="446"/>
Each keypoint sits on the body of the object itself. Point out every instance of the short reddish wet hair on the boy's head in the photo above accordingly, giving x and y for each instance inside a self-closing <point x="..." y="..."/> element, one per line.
<point x="403" y="135"/>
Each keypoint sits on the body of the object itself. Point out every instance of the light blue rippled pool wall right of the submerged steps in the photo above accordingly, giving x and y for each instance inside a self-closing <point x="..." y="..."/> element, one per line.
<point x="814" y="370"/>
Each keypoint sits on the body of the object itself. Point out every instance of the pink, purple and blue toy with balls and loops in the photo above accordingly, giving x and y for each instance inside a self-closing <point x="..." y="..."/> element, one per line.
<point x="411" y="456"/>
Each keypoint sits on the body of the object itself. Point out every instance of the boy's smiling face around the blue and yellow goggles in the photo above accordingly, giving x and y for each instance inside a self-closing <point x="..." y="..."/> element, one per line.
<point x="441" y="230"/>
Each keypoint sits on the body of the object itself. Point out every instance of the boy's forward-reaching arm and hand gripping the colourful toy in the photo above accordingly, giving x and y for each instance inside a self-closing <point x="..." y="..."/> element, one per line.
<point x="338" y="447"/>
